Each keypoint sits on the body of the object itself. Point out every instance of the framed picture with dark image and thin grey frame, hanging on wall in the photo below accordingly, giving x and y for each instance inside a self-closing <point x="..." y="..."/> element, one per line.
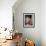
<point x="29" y="20"/>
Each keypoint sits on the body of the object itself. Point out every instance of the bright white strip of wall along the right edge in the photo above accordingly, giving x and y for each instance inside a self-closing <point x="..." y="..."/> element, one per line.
<point x="43" y="22"/>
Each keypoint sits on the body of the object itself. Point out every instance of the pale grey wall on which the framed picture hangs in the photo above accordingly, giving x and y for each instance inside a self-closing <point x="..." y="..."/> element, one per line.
<point x="28" y="6"/>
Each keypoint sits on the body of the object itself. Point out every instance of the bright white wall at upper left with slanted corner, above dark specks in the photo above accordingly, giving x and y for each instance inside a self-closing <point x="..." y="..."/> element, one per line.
<point x="6" y="13"/>
